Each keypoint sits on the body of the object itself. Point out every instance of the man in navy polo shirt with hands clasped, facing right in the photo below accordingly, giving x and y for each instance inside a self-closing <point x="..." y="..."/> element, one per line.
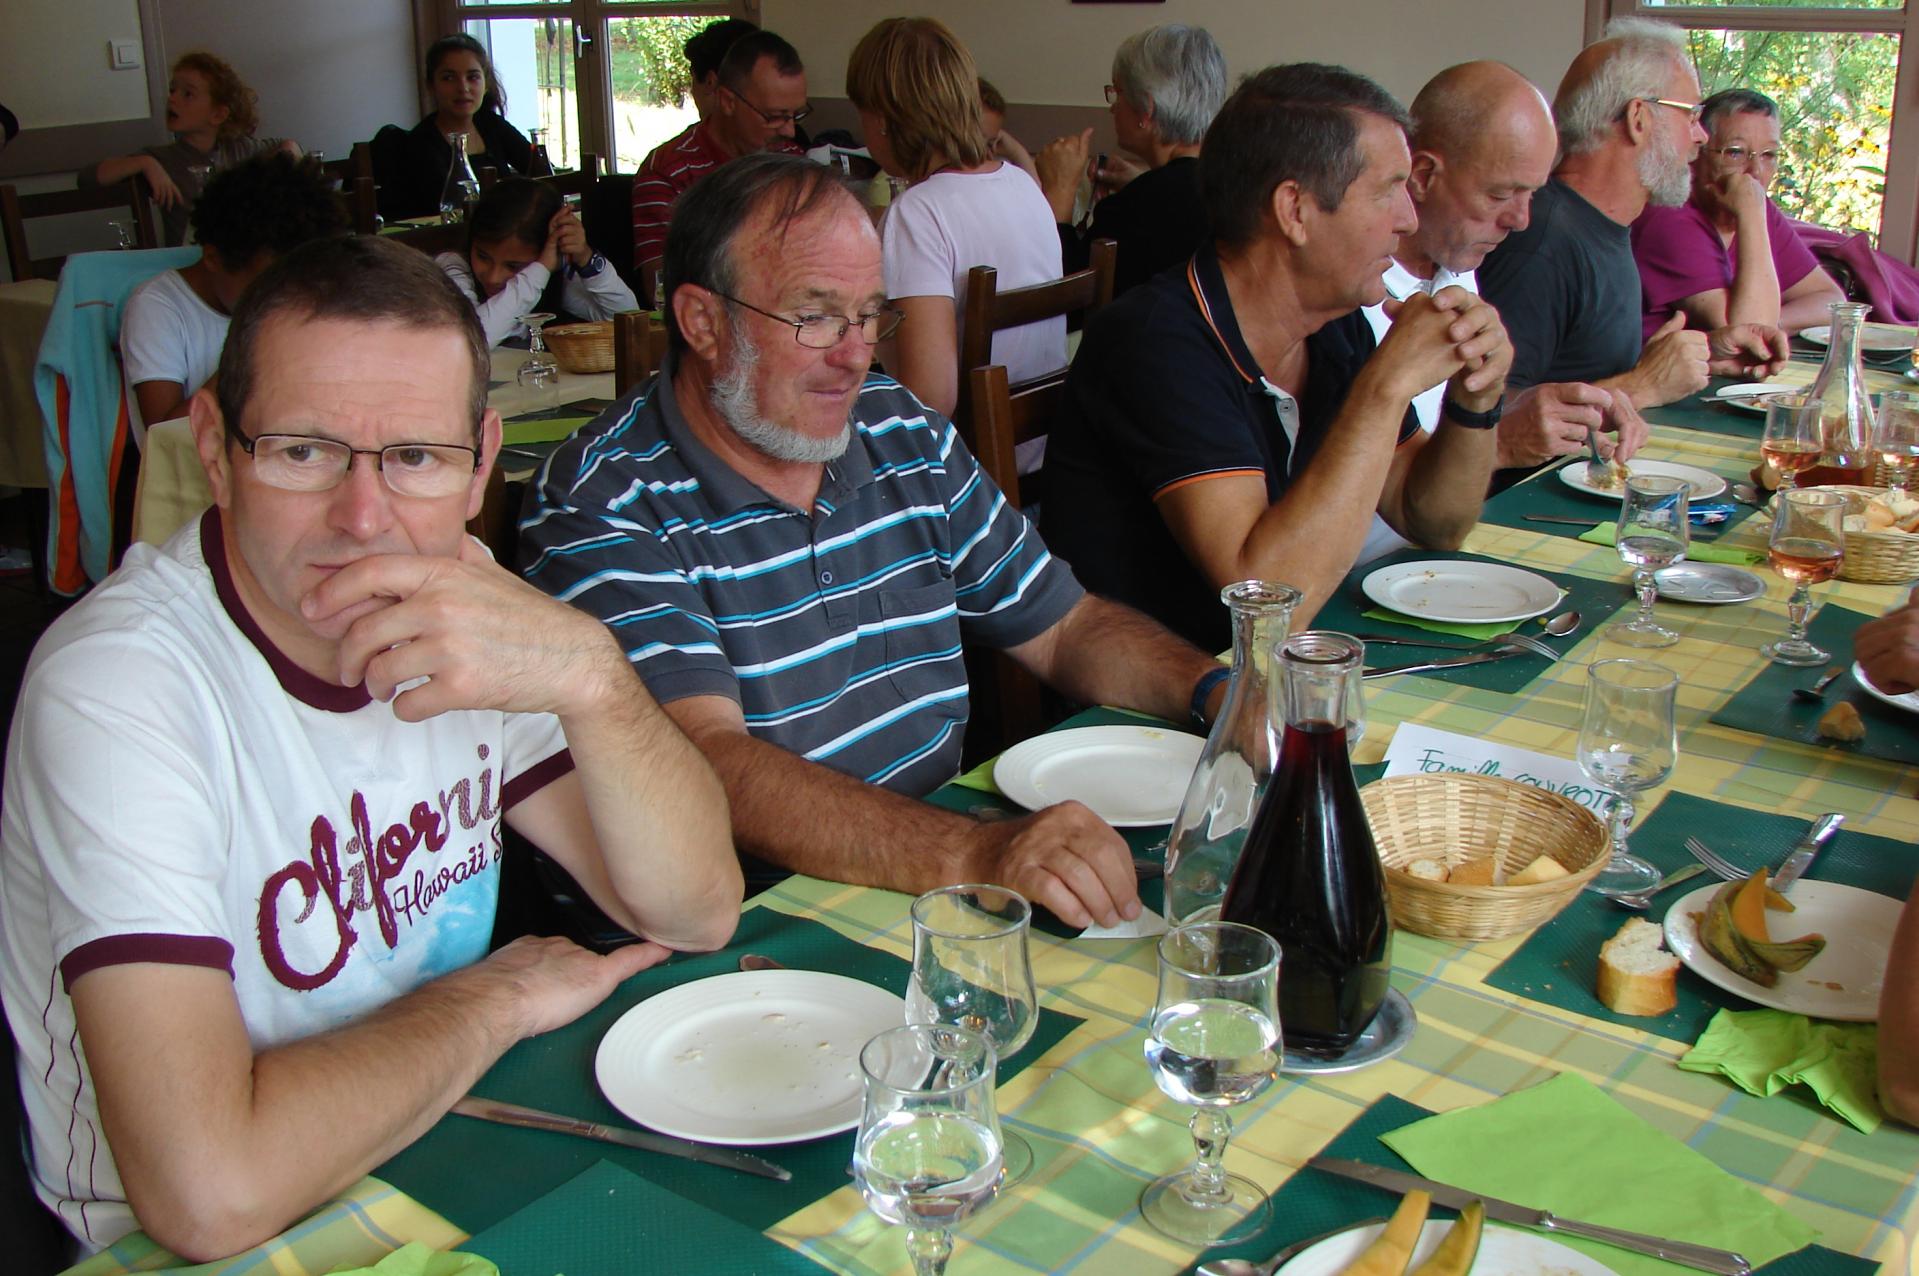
<point x="1233" y="419"/>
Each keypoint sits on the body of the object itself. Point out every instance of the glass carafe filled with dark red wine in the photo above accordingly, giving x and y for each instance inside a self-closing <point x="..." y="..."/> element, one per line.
<point x="1310" y="874"/>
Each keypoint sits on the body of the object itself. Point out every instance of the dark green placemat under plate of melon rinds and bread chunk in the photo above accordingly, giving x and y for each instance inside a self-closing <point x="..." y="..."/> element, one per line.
<point x="1559" y="962"/>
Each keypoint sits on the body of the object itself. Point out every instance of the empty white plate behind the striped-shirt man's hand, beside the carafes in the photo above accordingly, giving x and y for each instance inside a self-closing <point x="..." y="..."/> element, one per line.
<point x="1133" y="778"/>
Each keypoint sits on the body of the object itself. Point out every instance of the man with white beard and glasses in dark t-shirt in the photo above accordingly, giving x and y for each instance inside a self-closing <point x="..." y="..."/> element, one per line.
<point x="1567" y="287"/>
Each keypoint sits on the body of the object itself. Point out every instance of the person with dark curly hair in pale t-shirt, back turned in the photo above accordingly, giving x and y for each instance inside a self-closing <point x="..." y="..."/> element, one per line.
<point x="176" y="323"/>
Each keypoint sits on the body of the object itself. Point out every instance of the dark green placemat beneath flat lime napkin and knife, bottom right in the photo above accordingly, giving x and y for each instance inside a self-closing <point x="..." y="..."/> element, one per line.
<point x="1315" y="1202"/>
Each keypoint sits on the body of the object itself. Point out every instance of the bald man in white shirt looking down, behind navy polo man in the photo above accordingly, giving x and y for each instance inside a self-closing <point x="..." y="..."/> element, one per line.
<point x="1482" y="143"/>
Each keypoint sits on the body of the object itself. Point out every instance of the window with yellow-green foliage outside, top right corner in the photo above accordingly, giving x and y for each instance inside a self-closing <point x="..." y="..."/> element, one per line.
<point x="1836" y="72"/>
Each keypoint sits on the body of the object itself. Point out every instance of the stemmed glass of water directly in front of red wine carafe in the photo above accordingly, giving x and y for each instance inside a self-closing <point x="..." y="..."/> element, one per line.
<point x="1216" y="1043"/>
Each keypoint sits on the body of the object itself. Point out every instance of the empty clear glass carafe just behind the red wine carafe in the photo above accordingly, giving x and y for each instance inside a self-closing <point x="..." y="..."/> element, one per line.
<point x="1237" y="761"/>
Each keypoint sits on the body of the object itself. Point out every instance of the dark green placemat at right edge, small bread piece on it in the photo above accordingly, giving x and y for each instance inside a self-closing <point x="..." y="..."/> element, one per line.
<point x="1768" y="707"/>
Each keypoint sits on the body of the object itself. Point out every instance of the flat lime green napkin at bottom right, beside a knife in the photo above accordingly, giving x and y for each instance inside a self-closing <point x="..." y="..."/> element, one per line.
<point x="1571" y="1148"/>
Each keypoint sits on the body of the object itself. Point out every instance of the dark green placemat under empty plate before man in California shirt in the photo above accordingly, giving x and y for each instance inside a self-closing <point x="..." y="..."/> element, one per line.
<point x="477" y="1173"/>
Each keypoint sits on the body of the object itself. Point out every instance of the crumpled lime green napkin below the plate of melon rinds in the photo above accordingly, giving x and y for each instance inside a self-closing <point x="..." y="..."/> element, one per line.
<point x="1766" y="1051"/>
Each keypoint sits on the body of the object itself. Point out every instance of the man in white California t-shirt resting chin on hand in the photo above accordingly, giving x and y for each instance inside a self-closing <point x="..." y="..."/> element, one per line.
<point x="250" y="836"/>
